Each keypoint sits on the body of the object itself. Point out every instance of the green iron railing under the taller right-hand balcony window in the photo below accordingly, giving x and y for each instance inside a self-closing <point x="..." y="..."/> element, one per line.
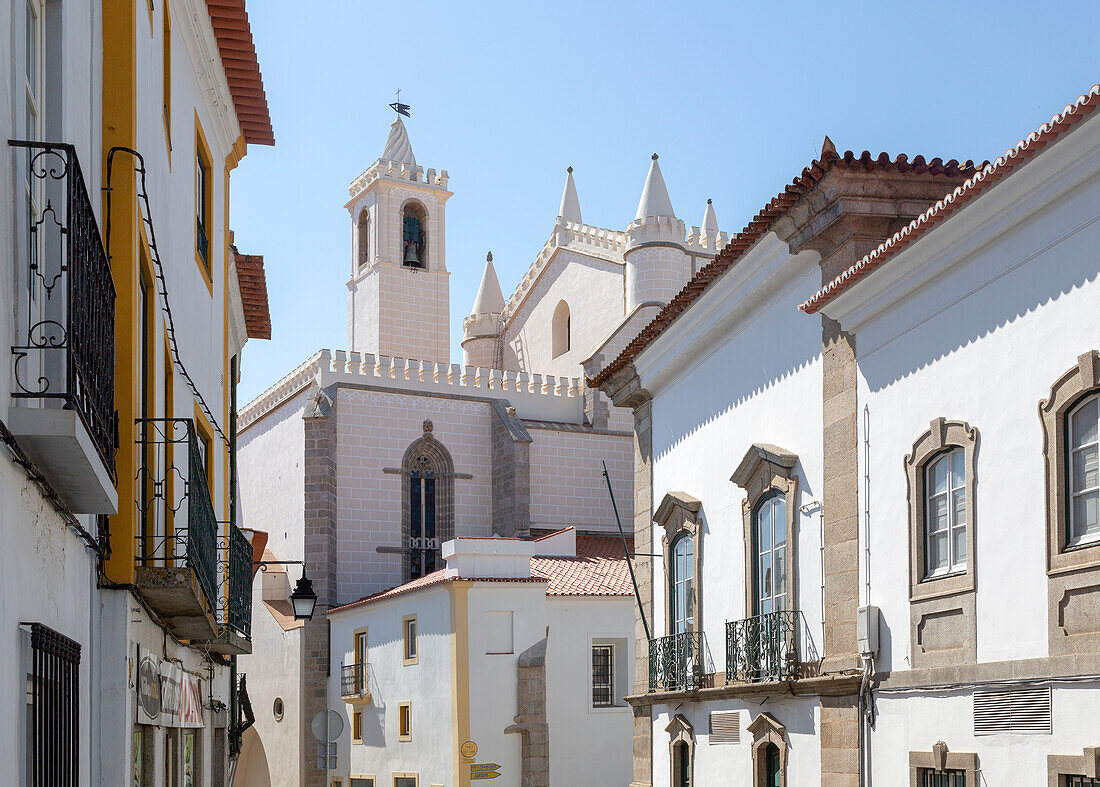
<point x="763" y="648"/>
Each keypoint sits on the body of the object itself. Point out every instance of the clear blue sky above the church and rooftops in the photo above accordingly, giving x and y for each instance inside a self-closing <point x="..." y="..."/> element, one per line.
<point x="735" y="97"/>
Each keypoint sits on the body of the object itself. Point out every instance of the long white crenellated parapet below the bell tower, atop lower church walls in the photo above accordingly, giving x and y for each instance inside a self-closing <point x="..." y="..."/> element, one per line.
<point x="541" y="397"/>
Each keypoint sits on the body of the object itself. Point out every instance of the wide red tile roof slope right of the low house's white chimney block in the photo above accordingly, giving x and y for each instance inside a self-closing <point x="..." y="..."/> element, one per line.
<point x="600" y="569"/>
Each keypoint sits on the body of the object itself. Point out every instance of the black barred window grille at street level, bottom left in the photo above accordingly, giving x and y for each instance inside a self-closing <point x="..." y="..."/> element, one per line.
<point x="54" y="696"/>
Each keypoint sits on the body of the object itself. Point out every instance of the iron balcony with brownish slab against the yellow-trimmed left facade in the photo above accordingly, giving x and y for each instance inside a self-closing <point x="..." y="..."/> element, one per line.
<point x="178" y="535"/>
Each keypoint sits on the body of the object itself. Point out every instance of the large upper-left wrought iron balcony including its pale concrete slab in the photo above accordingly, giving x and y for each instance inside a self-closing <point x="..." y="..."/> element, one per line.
<point x="64" y="345"/>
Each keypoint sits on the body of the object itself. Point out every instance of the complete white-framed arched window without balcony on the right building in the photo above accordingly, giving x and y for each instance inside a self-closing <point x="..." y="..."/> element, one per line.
<point x="945" y="515"/>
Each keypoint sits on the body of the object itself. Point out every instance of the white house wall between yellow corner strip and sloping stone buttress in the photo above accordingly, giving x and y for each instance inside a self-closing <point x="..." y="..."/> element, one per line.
<point x="494" y="677"/>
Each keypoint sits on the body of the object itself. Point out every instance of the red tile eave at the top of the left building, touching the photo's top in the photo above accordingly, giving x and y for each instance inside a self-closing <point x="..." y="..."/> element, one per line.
<point x="232" y="29"/>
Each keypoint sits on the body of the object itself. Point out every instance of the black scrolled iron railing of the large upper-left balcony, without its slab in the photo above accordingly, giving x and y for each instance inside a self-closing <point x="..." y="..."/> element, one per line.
<point x="64" y="349"/>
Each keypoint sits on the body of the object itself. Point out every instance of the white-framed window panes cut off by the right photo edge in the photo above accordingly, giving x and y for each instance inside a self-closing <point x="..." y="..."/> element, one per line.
<point x="1084" y="447"/>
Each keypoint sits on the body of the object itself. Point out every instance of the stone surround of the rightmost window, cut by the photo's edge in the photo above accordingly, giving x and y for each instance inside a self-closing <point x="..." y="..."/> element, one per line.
<point x="1074" y="386"/>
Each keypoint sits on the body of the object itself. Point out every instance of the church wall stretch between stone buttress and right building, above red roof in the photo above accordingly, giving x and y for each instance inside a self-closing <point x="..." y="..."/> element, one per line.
<point x="568" y="487"/>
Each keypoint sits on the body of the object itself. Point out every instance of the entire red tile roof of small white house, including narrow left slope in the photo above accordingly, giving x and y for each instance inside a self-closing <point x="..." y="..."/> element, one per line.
<point x="599" y="570"/>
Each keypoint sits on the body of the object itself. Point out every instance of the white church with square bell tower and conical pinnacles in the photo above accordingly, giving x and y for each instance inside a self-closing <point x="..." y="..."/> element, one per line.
<point x="364" y="463"/>
